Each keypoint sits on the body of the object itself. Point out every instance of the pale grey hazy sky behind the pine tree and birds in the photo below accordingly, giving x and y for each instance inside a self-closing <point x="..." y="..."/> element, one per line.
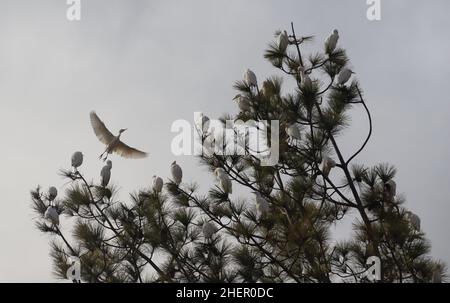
<point x="143" y="64"/>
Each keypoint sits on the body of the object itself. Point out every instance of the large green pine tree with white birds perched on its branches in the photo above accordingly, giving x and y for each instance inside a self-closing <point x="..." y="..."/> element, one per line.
<point x="281" y="231"/>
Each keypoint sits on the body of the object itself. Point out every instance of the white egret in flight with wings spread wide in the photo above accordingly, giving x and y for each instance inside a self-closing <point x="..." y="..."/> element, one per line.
<point x="113" y="143"/>
